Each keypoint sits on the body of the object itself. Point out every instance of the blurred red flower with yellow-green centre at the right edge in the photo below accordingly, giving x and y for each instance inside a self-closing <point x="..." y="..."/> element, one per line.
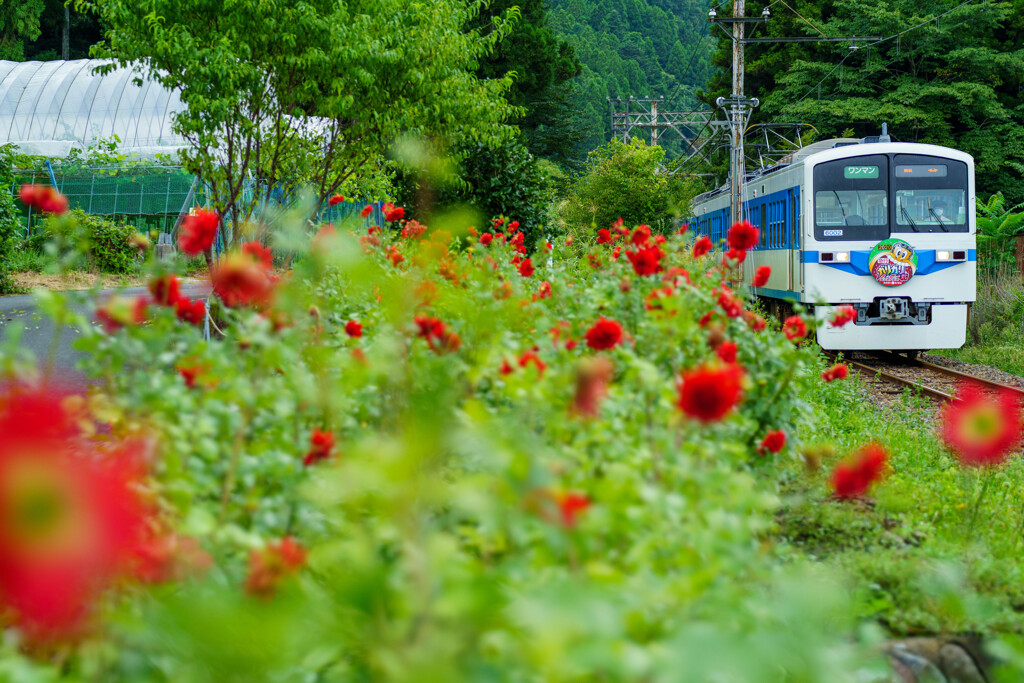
<point x="983" y="430"/>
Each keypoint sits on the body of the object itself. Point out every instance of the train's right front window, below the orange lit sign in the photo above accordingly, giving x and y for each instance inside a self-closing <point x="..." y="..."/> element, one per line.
<point x="930" y="195"/>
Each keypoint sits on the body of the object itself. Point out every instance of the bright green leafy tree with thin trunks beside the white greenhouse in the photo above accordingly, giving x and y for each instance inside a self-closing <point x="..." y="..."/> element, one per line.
<point x="309" y="95"/>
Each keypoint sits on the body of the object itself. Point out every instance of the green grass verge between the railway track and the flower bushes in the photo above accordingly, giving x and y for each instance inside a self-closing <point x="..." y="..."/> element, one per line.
<point x="916" y="558"/>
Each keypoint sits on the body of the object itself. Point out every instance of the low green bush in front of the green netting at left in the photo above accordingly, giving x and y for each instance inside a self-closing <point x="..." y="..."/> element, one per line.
<point x="93" y="242"/>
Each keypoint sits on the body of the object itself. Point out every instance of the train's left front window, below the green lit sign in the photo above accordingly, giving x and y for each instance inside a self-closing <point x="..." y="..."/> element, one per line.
<point x="851" y="199"/>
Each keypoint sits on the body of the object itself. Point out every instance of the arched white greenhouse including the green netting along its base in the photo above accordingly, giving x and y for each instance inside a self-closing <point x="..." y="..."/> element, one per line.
<point x="50" y="110"/>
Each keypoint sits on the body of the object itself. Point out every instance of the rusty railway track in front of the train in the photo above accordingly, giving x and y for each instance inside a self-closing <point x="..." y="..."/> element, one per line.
<point x="932" y="381"/>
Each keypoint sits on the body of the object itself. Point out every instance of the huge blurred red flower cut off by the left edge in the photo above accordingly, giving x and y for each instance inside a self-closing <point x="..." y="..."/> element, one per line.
<point x="71" y="517"/>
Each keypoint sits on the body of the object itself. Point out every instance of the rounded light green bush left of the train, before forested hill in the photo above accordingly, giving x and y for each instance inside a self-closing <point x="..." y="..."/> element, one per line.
<point x="626" y="181"/>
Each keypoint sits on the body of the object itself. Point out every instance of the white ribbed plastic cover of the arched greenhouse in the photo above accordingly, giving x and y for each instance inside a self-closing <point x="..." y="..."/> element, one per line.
<point x="48" y="108"/>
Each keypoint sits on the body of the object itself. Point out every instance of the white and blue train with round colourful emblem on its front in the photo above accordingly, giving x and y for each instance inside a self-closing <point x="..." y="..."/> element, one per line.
<point x="886" y="228"/>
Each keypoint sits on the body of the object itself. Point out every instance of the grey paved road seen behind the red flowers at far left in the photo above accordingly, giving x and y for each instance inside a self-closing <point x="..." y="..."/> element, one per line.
<point x="39" y="329"/>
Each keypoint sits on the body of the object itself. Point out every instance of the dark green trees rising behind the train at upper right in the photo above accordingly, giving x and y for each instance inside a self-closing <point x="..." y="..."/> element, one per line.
<point x="955" y="77"/>
